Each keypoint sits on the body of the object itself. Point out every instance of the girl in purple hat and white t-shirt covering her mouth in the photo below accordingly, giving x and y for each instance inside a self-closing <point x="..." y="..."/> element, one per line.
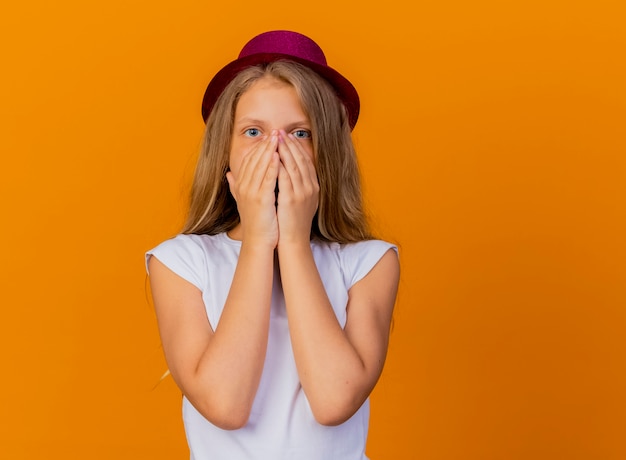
<point x="274" y="303"/>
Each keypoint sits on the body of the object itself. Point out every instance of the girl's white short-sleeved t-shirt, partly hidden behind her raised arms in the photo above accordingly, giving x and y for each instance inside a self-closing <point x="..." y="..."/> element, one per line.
<point x="281" y="424"/>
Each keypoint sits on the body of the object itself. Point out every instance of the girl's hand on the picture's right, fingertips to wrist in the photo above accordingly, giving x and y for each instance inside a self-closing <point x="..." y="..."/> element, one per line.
<point x="298" y="190"/>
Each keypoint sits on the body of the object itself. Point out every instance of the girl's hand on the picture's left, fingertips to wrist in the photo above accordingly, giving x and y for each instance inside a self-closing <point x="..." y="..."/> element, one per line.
<point x="253" y="190"/>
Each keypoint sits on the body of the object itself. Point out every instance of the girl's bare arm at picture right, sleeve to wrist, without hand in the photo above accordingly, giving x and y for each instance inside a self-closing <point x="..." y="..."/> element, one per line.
<point x="338" y="368"/>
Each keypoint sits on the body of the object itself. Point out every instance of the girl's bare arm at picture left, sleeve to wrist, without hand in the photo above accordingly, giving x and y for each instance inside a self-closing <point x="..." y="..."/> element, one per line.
<point x="218" y="372"/>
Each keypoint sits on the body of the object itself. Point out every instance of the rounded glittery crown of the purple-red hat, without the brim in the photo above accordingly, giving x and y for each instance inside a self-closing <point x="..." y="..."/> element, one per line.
<point x="287" y="43"/>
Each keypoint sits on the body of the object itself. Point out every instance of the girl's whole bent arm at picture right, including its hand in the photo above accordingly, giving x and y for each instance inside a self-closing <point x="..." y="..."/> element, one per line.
<point x="338" y="368"/>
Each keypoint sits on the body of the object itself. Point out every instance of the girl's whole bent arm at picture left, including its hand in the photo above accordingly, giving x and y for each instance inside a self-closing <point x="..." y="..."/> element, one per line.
<point x="219" y="371"/>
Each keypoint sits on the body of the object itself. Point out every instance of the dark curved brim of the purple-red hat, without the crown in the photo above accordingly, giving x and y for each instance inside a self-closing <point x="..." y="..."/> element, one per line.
<point x="344" y="89"/>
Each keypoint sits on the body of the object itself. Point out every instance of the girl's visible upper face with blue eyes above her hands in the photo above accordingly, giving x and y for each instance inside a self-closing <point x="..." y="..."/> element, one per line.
<point x="268" y="105"/>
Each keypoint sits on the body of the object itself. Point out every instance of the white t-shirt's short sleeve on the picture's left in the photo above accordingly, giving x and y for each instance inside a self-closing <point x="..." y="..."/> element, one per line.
<point x="183" y="256"/>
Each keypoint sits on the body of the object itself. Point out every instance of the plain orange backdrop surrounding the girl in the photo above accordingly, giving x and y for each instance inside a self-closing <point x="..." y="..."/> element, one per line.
<point x="493" y="147"/>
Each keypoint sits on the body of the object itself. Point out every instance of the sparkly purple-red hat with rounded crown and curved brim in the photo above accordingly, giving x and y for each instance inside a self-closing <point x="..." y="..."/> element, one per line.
<point x="283" y="45"/>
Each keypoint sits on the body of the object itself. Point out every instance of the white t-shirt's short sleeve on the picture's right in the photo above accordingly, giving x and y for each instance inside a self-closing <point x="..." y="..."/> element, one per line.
<point x="358" y="259"/>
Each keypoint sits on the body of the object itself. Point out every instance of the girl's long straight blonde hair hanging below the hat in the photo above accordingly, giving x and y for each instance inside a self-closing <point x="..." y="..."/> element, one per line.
<point x="340" y="215"/>
